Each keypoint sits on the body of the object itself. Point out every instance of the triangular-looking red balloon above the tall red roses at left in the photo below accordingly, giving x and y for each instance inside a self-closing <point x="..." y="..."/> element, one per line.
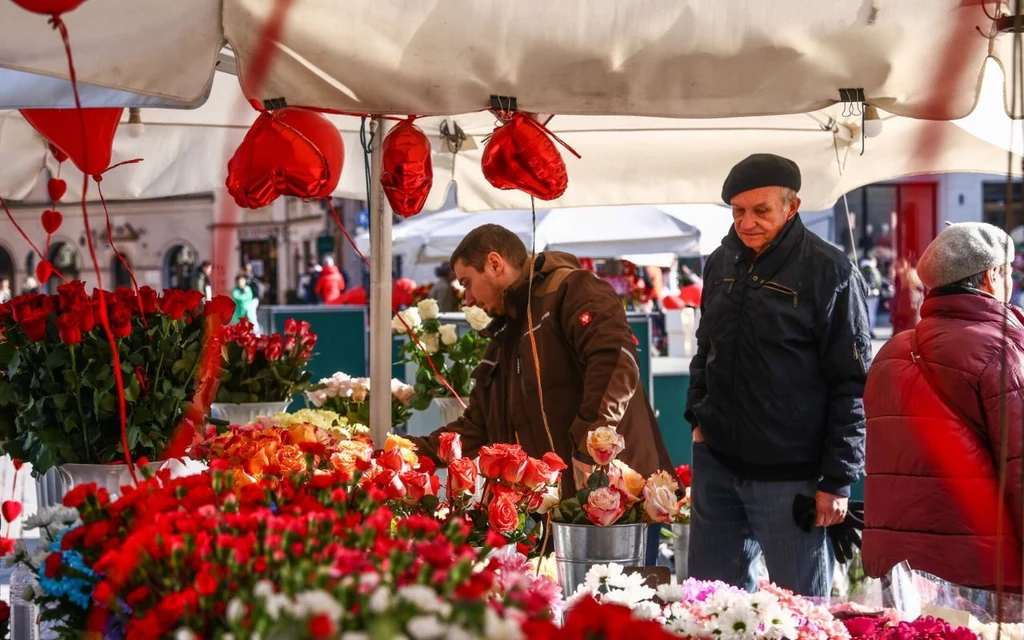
<point x="63" y="129"/>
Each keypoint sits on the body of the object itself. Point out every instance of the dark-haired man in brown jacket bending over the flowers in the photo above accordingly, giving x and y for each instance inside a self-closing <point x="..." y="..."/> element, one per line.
<point x="588" y="364"/>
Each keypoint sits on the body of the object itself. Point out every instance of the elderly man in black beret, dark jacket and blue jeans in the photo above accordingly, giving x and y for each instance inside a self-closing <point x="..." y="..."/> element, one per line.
<point x="776" y="389"/>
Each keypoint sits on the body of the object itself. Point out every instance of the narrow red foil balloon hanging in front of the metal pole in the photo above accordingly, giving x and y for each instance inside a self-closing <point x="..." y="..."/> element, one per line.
<point x="408" y="172"/>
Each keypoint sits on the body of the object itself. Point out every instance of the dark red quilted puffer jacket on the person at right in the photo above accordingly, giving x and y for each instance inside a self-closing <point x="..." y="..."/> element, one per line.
<point x="932" y="488"/>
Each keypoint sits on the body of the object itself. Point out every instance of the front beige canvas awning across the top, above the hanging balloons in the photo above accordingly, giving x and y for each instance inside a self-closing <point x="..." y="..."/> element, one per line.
<point x="646" y="58"/>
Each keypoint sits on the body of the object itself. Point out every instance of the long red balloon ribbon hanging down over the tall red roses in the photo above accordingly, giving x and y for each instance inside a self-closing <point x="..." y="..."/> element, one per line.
<point x="104" y="314"/>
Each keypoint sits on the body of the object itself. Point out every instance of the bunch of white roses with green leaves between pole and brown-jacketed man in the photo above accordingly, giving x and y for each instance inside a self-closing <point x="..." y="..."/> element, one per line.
<point x="453" y="357"/>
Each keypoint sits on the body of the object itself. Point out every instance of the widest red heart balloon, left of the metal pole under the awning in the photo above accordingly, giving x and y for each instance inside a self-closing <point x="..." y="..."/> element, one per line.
<point x="288" y="152"/>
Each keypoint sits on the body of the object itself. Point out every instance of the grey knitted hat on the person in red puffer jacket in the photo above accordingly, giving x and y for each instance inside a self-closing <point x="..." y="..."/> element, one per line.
<point x="964" y="250"/>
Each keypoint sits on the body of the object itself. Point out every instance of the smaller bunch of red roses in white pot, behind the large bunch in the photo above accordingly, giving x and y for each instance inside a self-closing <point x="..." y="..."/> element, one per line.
<point x="266" y="369"/>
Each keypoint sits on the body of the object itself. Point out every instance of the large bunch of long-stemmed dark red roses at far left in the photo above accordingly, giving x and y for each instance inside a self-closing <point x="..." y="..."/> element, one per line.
<point x="60" y="394"/>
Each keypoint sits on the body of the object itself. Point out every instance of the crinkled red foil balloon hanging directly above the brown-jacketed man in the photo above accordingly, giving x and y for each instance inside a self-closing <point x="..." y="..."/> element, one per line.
<point x="522" y="156"/>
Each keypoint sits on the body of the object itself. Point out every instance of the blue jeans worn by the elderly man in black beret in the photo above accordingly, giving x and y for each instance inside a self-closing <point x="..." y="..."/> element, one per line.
<point x="734" y="521"/>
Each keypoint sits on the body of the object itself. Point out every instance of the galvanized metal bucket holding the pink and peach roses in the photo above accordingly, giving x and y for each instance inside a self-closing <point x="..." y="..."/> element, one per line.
<point x="579" y="547"/>
